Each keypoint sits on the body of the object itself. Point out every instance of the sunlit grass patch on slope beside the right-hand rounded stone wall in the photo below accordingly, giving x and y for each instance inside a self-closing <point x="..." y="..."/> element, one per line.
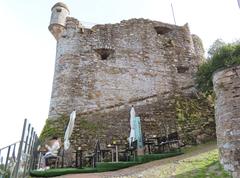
<point x="204" y="165"/>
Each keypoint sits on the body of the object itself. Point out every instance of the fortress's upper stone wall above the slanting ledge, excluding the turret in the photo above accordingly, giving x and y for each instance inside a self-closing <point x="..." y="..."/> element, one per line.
<point x="139" y="63"/>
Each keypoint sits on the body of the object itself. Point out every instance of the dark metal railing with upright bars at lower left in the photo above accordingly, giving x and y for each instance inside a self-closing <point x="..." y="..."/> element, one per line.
<point x="16" y="160"/>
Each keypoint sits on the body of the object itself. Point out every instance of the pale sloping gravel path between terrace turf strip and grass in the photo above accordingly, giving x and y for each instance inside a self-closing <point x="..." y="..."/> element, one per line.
<point x="144" y="170"/>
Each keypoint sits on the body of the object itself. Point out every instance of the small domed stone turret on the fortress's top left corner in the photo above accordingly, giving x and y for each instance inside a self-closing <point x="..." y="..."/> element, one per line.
<point x="58" y="19"/>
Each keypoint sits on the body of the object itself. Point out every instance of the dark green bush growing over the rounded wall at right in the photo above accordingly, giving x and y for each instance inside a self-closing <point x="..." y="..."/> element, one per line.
<point x="224" y="57"/>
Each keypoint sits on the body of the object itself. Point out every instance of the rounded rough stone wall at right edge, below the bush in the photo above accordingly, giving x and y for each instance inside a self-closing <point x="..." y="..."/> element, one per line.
<point x="227" y="113"/>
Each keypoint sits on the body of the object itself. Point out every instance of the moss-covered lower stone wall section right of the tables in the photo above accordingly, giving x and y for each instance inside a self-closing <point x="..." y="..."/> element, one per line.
<point x="195" y="118"/>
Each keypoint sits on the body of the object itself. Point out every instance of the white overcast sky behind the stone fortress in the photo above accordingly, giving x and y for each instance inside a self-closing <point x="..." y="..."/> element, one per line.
<point x="27" y="49"/>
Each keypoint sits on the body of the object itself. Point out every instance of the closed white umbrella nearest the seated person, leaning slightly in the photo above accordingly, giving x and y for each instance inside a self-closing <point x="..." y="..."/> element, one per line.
<point x="69" y="130"/>
